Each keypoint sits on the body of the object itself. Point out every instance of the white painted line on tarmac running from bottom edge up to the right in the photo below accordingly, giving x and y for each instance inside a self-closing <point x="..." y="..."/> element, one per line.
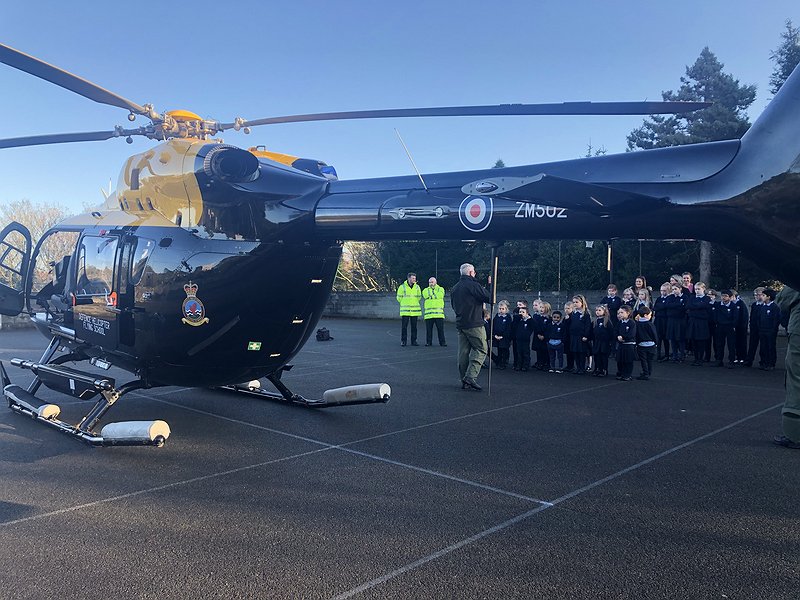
<point x="519" y="518"/>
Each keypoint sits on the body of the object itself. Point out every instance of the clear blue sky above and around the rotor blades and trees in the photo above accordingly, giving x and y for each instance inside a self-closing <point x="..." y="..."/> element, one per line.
<point x="259" y="59"/>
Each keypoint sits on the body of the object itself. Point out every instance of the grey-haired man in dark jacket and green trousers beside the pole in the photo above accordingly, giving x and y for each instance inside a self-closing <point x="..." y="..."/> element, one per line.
<point x="467" y="299"/>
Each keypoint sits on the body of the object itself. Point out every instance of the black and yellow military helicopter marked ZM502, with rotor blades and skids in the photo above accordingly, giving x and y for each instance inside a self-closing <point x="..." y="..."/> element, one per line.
<point x="171" y="280"/>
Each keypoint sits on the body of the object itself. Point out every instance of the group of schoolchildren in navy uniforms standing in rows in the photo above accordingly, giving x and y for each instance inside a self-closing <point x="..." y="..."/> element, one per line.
<point x="685" y="318"/>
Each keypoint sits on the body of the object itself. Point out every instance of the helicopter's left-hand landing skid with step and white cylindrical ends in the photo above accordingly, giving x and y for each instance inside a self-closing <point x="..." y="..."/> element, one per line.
<point x="84" y="386"/>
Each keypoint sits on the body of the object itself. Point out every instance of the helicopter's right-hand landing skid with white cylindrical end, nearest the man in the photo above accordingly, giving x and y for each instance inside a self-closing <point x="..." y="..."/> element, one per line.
<point x="351" y="395"/>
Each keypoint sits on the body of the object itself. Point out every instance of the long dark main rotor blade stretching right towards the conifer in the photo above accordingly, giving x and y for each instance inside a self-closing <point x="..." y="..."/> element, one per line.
<point x="565" y="108"/>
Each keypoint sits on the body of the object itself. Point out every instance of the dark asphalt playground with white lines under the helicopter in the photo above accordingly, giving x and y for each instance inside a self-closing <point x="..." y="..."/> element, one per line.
<point x="552" y="486"/>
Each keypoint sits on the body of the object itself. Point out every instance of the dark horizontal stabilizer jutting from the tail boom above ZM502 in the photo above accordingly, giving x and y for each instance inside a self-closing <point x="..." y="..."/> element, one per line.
<point x="549" y="190"/>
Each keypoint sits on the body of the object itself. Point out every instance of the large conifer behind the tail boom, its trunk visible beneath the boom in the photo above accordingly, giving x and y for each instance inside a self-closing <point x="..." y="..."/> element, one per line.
<point x="725" y="119"/>
